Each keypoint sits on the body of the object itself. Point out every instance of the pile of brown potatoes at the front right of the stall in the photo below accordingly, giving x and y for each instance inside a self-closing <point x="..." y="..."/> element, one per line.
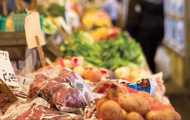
<point x="137" y="106"/>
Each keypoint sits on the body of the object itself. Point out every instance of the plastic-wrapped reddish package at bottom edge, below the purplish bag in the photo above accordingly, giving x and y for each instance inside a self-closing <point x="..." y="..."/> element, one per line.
<point x="44" y="113"/>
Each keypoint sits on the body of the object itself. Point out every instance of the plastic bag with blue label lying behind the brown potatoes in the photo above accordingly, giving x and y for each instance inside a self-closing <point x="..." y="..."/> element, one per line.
<point x="152" y="85"/>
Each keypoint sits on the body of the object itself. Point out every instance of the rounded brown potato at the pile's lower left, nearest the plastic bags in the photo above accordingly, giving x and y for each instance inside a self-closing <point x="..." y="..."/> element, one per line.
<point x="110" y="110"/>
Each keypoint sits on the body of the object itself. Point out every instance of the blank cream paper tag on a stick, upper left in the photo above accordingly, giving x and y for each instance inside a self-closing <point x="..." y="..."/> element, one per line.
<point x="33" y="30"/>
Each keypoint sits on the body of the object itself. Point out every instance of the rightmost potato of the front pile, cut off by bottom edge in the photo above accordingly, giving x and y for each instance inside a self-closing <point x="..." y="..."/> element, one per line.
<point x="167" y="114"/>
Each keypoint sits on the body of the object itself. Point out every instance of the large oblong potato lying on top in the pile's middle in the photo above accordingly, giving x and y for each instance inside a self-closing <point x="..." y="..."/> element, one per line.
<point x="134" y="103"/>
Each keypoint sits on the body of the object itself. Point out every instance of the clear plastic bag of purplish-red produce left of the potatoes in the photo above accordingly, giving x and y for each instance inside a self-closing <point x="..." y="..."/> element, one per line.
<point x="65" y="92"/>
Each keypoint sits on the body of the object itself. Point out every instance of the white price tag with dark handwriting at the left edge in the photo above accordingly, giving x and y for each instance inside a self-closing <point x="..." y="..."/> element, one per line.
<point x="6" y="70"/>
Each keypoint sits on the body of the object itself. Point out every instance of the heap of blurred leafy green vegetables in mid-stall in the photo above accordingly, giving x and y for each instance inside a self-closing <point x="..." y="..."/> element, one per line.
<point x="111" y="54"/>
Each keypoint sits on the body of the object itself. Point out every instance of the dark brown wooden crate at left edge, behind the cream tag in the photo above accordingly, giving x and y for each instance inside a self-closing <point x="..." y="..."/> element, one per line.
<point x="14" y="43"/>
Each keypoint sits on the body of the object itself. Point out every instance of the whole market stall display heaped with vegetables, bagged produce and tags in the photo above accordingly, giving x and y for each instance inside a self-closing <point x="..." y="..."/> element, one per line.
<point x="101" y="73"/>
